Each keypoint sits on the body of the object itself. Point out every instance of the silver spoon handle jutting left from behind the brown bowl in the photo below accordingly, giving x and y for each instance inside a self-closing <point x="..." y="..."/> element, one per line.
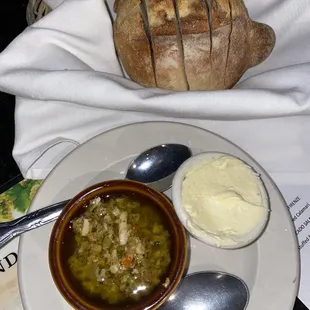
<point x="32" y="220"/>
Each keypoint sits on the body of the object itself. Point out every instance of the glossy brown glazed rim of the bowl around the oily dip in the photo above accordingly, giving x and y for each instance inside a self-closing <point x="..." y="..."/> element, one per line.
<point x="155" y="299"/>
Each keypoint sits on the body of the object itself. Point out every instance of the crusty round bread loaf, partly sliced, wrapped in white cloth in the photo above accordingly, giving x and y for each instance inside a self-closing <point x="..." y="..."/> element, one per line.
<point x="188" y="44"/>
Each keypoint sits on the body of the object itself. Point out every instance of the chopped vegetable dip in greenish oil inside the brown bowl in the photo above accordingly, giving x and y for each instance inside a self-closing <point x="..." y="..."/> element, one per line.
<point x="122" y="249"/>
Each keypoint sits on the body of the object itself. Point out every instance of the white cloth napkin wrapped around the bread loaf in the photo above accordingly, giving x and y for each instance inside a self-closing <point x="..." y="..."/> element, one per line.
<point x="69" y="86"/>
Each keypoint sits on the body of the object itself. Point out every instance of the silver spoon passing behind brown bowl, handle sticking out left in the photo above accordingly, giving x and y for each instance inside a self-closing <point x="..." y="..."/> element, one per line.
<point x="154" y="167"/>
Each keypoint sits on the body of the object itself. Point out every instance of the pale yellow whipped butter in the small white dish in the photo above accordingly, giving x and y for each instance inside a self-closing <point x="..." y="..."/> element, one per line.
<point x="222" y="197"/>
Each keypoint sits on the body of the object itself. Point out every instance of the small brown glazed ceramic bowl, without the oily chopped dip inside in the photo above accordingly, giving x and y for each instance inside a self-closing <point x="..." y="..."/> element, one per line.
<point x="59" y="247"/>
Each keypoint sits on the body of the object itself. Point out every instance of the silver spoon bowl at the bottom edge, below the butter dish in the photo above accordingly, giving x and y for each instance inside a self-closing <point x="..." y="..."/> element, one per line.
<point x="209" y="290"/>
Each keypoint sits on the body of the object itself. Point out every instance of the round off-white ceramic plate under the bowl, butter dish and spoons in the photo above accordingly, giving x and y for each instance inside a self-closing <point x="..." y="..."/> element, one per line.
<point x="270" y="266"/>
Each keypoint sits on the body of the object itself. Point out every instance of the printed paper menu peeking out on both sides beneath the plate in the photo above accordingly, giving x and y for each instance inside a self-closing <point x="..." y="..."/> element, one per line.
<point x="16" y="201"/>
